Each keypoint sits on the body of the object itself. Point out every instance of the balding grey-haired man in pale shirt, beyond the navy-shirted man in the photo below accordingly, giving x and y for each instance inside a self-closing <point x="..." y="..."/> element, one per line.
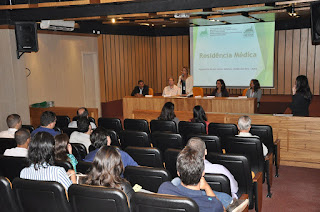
<point x="200" y="146"/>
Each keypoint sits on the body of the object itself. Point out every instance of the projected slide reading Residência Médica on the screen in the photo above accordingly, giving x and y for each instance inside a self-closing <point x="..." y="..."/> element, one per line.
<point x="235" y="53"/>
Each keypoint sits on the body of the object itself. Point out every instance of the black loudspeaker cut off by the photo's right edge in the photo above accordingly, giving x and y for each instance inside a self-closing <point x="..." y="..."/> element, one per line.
<point x="315" y="23"/>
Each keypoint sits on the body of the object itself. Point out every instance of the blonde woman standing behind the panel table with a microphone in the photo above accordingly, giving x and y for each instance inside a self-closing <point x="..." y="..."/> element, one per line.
<point x="185" y="83"/>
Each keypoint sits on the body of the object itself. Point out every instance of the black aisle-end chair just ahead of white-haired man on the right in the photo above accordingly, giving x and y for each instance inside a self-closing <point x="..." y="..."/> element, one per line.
<point x="266" y="136"/>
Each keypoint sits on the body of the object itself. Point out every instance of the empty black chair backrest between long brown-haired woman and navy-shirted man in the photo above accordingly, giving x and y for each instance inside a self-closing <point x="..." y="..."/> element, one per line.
<point x="148" y="177"/>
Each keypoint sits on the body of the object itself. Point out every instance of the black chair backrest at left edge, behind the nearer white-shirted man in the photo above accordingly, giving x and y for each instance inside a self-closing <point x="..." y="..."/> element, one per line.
<point x="11" y="167"/>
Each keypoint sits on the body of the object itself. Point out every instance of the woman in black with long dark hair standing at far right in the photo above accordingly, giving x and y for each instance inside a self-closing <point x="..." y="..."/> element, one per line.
<point x="301" y="97"/>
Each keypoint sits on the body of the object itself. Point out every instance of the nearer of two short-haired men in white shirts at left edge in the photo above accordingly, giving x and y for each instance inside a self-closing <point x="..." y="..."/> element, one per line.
<point x="22" y="137"/>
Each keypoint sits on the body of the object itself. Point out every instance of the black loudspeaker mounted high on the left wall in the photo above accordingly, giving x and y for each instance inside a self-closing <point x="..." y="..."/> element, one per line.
<point x="26" y="37"/>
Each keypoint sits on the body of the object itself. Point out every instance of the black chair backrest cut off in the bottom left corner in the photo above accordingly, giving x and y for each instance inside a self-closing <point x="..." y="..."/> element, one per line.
<point x="7" y="198"/>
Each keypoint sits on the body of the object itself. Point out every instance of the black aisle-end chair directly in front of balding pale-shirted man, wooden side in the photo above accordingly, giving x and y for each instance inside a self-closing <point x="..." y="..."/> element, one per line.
<point x="239" y="167"/>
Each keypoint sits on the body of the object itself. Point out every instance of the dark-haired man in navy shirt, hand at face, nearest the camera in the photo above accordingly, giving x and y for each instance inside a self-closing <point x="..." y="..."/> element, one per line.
<point x="190" y="168"/>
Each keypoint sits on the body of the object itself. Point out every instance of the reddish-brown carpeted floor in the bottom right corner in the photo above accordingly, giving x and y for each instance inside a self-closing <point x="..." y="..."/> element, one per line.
<point x="296" y="189"/>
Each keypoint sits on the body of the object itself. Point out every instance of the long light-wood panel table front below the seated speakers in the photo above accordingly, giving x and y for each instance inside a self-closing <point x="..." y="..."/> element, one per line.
<point x="219" y="104"/>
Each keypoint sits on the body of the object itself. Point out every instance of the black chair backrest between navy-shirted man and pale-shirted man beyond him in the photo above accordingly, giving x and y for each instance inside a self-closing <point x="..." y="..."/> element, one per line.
<point x="218" y="182"/>
